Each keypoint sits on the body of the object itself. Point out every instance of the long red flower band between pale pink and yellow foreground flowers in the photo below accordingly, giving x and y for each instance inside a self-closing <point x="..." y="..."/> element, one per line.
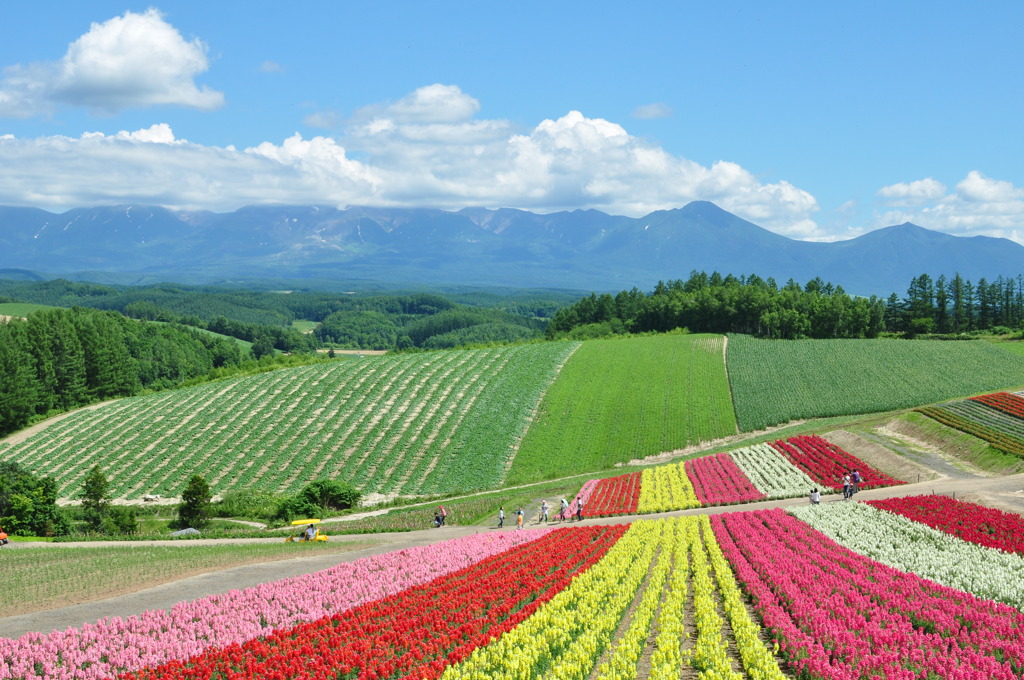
<point x="416" y="633"/>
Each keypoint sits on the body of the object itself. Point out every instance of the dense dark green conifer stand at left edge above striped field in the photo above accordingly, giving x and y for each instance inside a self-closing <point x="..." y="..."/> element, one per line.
<point x="59" y="360"/>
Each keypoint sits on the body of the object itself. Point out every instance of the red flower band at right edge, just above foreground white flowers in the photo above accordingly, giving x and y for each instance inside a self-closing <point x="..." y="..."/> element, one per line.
<point x="986" y="527"/>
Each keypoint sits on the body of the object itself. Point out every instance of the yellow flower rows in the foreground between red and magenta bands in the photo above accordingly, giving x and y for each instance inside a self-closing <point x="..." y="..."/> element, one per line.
<point x="573" y="633"/>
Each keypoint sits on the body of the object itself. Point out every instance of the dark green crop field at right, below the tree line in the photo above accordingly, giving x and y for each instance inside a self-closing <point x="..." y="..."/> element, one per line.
<point x="776" y="381"/>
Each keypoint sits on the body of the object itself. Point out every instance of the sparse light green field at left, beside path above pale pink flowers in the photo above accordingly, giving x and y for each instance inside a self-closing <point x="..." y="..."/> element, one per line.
<point x="44" y="577"/>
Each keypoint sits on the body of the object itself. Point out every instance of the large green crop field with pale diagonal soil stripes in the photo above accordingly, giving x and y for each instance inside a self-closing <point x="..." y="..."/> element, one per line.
<point x="418" y="423"/>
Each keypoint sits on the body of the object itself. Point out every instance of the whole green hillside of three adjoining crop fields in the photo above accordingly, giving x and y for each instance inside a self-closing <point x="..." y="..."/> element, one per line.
<point x="463" y="420"/>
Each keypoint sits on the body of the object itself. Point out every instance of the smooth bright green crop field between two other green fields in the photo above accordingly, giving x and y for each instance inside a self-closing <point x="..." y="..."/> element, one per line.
<point x="625" y="399"/>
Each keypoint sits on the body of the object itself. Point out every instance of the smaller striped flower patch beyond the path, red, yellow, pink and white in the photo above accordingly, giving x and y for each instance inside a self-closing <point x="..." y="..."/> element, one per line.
<point x="786" y="469"/>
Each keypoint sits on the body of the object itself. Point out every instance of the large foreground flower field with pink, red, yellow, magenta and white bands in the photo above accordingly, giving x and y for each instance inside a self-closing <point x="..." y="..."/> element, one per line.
<point x="844" y="590"/>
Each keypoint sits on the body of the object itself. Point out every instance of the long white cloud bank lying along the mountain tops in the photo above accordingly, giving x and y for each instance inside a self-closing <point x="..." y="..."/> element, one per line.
<point x="426" y="150"/>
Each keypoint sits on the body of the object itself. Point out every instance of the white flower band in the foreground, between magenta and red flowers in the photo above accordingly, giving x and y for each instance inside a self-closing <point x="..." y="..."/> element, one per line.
<point x="910" y="546"/>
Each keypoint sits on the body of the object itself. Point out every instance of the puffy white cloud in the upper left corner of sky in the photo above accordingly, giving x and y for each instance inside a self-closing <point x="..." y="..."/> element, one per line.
<point x="130" y="62"/>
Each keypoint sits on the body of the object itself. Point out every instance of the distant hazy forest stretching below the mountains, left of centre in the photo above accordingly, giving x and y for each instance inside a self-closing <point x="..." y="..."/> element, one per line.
<point x="357" y="321"/>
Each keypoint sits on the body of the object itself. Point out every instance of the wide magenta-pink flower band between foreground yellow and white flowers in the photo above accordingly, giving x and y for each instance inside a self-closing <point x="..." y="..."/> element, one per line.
<point x="837" y="615"/>
